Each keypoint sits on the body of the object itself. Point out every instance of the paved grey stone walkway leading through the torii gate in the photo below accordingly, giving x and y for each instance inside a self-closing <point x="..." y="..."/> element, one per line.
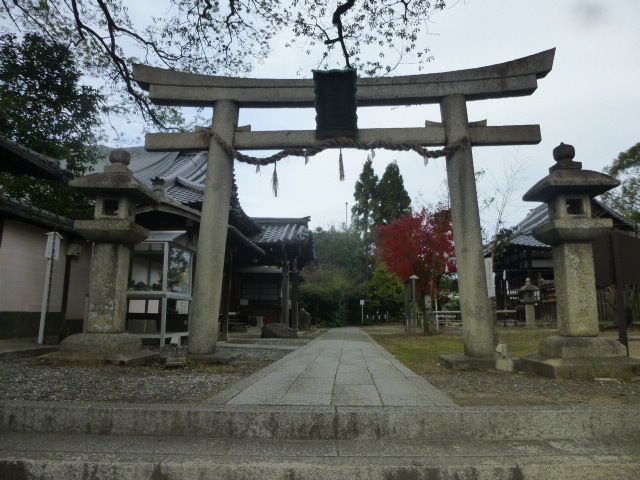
<point x="344" y="367"/>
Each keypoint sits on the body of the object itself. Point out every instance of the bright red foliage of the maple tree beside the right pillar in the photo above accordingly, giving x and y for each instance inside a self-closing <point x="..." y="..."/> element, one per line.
<point x="419" y="243"/>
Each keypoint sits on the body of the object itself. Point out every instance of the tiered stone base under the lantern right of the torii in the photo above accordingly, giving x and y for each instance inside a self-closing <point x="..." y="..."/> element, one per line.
<point x="581" y="358"/>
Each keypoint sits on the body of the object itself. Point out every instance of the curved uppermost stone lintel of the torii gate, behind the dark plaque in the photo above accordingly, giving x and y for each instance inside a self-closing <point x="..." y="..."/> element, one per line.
<point x="508" y="79"/>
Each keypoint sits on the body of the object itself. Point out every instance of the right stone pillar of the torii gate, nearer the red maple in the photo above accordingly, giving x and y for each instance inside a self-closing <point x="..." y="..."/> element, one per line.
<point x="477" y="326"/>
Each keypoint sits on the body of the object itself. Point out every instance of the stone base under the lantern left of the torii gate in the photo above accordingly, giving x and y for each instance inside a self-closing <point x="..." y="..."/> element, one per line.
<point x="103" y="348"/>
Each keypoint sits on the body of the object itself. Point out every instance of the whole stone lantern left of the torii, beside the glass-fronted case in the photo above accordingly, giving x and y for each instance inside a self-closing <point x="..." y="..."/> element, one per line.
<point x="113" y="231"/>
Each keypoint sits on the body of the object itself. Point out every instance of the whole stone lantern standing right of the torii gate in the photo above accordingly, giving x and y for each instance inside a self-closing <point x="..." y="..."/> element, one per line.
<point x="578" y="352"/>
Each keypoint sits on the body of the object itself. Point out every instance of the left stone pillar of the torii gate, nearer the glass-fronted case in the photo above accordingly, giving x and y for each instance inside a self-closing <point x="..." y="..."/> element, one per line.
<point x="207" y="289"/>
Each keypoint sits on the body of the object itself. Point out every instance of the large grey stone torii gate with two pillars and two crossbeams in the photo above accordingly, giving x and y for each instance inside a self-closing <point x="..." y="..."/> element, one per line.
<point x="451" y="90"/>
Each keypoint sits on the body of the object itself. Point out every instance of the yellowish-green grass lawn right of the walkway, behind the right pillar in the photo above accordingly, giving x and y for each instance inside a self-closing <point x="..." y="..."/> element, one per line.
<point x="422" y="353"/>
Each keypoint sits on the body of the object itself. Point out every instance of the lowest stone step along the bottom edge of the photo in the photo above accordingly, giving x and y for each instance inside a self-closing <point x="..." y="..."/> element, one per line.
<point x="103" y="457"/>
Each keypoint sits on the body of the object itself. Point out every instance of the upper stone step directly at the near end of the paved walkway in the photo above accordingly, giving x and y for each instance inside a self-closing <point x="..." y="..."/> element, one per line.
<point x="322" y="423"/>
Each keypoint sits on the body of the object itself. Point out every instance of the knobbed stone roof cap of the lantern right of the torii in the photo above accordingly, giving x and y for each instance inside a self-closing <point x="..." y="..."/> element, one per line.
<point x="567" y="177"/>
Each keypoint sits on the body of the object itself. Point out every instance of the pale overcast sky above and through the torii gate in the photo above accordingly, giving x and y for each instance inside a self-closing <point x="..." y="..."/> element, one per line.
<point x="591" y="100"/>
